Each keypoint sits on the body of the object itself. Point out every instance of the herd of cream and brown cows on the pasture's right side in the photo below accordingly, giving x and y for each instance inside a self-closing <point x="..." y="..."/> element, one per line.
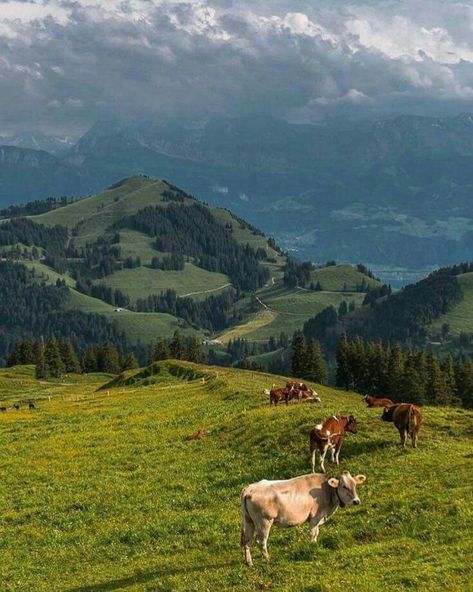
<point x="313" y="498"/>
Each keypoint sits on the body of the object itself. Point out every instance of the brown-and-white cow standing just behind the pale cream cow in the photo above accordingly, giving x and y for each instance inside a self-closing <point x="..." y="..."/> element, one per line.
<point x="330" y="435"/>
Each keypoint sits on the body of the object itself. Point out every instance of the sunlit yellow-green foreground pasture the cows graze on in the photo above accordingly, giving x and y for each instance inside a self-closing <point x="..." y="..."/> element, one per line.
<point x="105" y="479"/>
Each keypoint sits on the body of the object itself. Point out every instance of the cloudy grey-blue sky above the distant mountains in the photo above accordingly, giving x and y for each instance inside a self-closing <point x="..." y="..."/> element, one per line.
<point x="65" y="64"/>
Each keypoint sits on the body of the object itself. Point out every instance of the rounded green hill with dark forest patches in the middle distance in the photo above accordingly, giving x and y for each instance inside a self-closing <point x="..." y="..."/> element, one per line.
<point x="125" y="246"/>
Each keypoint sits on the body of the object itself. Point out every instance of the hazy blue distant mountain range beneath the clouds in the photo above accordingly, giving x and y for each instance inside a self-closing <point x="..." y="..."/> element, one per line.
<point x="390" y="193"/>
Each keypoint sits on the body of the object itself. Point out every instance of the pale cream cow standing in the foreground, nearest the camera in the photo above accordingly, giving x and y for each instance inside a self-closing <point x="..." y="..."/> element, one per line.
<point x="291" y="502"/>
